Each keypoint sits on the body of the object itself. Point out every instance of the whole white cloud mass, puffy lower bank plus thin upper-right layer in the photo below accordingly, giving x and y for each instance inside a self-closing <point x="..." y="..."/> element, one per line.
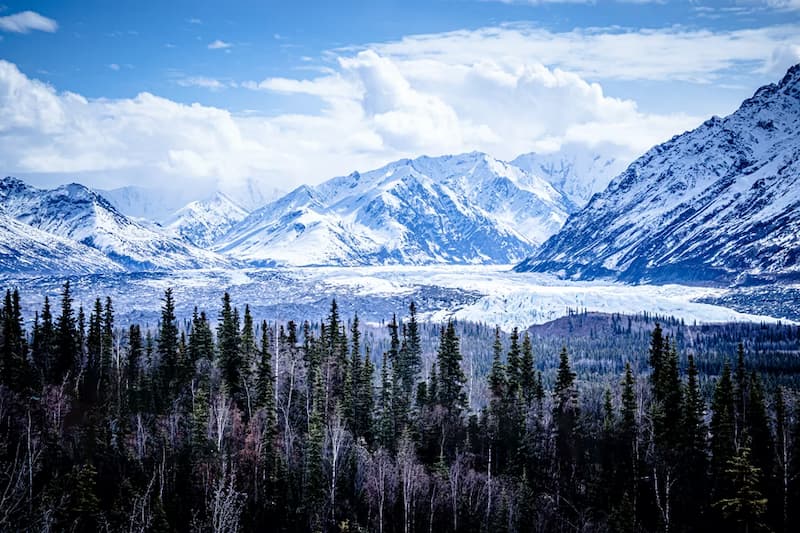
<point x="506" y="91"/>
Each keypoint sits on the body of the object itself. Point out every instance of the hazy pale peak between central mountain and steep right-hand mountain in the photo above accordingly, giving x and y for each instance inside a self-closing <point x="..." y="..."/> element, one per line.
<point x="575" y="170"/>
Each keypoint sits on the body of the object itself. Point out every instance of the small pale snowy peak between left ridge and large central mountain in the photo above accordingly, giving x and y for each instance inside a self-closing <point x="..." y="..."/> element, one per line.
<point x="203" y="221"/>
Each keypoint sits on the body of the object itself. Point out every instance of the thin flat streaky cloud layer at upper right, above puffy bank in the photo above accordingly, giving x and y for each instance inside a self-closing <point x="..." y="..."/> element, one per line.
<point x="671" y="54"/>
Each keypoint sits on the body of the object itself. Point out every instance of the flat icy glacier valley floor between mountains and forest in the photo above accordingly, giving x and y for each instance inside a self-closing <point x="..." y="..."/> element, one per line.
<point x="490" y="294"/>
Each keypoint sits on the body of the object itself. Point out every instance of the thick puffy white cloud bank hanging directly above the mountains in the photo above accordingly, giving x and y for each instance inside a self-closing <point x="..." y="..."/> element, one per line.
<point x="373" y="112"/>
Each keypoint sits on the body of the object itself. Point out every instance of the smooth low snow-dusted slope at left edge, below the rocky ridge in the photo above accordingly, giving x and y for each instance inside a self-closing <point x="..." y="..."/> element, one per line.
<point x="27" y="250"/>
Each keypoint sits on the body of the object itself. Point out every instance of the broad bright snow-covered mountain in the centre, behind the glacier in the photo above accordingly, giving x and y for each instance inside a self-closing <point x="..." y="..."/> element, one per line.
<point x="469" y="208"/>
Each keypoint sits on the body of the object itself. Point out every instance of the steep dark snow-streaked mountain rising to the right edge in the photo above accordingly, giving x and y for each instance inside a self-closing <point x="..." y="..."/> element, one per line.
<point x="717" y="204"/>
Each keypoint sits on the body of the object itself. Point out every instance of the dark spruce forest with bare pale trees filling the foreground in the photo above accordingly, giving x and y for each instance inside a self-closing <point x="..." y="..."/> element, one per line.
<point x="226" y="423"/>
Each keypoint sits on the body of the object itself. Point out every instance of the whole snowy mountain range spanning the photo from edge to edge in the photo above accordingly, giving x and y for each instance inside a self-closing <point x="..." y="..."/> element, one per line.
<point x="715" y="205"/>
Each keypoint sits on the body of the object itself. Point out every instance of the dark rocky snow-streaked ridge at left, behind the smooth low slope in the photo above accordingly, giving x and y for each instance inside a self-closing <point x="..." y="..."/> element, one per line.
<point x="77" y="213"/>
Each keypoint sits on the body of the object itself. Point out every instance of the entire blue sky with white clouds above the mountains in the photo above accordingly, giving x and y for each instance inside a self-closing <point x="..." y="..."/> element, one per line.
<point x="197" y="95"/>
